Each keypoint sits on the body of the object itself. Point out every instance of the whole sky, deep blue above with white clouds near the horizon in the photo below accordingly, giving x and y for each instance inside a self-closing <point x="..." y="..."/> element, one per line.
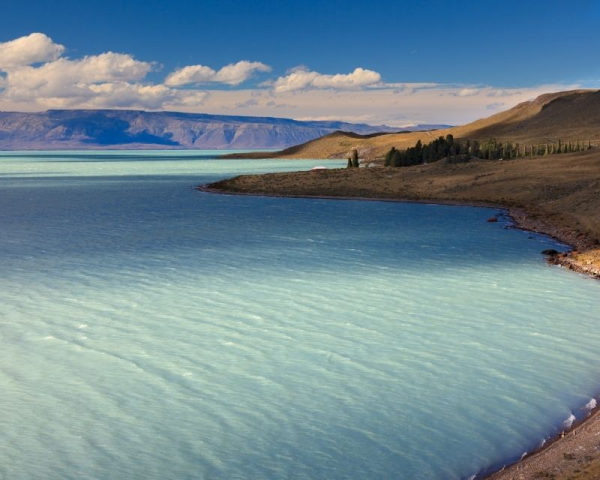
<point x="474" y="51"/>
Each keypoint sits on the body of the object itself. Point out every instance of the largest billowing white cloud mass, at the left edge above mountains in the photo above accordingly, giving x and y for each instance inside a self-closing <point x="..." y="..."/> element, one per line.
<point x="34" y="73"/>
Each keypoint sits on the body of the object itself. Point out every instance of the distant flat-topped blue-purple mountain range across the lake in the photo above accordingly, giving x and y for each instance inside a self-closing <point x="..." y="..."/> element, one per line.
<point x="133" y="129"/>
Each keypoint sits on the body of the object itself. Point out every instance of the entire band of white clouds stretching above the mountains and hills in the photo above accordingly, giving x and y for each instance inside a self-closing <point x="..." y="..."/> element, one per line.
<point x="36" y="74"/>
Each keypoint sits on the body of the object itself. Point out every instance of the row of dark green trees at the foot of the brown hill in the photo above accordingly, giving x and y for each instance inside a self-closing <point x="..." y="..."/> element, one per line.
<point x="447" y="147"/>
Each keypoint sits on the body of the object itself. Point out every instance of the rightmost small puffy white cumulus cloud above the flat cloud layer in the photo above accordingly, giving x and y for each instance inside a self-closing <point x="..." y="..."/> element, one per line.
<point x="303" y="79"/>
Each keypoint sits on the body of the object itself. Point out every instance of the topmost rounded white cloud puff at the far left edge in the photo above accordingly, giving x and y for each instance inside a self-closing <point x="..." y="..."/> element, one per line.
<point x="34" y="48"/>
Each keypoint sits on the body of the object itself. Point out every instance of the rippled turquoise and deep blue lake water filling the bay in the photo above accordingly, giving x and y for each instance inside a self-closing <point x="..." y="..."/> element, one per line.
<point x="151" y="331"/>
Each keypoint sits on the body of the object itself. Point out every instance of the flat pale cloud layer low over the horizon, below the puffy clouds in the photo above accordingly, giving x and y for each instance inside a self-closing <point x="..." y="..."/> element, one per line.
<point x="400" y="106"/>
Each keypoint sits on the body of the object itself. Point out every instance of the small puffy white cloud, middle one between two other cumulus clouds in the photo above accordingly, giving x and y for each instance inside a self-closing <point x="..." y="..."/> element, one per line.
<point x="232" y="74"/>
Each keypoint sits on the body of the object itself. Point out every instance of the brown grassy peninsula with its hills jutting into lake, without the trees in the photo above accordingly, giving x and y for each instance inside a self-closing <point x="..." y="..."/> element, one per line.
<point x="556" y="194"/>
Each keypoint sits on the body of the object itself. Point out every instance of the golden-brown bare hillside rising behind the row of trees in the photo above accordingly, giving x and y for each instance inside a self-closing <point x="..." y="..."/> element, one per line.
<point x="570" y="116"/>
